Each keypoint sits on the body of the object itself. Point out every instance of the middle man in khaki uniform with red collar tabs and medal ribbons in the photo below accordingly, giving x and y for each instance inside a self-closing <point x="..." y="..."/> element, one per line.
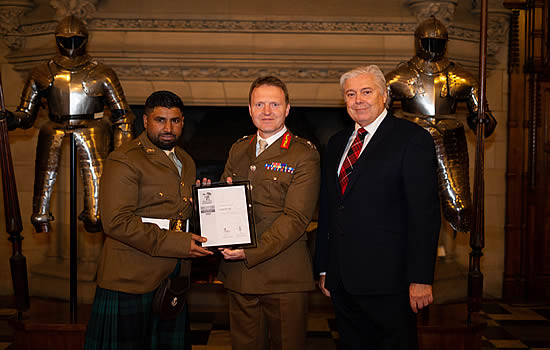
<point x="268" y="284"/>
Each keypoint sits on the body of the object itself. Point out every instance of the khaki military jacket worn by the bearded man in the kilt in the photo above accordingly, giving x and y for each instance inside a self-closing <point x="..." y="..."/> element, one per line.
<point x="139" y="180"/>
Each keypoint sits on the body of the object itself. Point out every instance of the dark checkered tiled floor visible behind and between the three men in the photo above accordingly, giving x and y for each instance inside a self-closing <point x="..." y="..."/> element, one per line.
<point x="508" y="327"/>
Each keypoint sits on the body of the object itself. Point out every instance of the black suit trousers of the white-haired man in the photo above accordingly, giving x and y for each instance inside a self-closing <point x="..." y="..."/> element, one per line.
<point x="378" y="322"/>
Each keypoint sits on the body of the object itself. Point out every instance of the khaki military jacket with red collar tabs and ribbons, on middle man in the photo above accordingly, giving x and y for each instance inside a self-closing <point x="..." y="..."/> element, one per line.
<point x="285" y="181"/>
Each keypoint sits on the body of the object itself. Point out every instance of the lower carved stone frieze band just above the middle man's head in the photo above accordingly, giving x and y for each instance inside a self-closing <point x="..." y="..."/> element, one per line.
<point x="228" y="74"/>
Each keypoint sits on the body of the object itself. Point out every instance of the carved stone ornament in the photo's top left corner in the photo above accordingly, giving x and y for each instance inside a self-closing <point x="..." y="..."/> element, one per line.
<point x="10" y="15"/>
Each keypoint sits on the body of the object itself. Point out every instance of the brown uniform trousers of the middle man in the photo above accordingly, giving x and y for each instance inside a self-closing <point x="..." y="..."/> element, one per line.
<point x="268" y="321"/>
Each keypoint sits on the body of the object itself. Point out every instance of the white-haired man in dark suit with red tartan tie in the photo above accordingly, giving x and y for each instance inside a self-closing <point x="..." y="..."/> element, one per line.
<point x="379" y="220"/>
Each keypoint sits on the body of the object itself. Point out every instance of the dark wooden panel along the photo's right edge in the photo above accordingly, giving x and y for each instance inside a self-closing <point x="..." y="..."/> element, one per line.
<point x="527" y="230"/>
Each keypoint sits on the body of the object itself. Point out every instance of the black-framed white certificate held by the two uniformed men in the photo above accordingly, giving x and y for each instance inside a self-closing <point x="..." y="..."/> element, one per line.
<point x="224" y="214"/>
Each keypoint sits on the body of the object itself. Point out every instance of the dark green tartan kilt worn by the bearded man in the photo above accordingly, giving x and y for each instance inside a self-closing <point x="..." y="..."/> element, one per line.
<point x="124" y="321"/>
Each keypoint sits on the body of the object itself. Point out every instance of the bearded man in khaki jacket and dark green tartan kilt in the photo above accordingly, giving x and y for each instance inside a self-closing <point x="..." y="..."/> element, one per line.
<point x="146" y="183"/>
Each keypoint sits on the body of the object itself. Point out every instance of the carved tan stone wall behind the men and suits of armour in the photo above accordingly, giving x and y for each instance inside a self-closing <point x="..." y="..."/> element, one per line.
<point x="210" y="57"/>
